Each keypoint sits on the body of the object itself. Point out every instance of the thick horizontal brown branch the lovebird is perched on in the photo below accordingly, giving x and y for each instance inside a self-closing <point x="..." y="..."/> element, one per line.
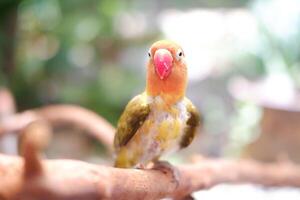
<point x="66" y="178"/>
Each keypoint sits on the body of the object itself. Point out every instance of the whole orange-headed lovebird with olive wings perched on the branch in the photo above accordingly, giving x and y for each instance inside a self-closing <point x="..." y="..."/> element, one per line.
<point x="161" y="119"/>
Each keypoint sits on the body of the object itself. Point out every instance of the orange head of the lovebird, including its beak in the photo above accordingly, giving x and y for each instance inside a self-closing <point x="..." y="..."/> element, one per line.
<point x="166" y="71"/>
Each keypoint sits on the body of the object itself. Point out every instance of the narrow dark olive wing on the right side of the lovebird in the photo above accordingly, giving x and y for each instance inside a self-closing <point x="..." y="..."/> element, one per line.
<point x="194" y="121"/>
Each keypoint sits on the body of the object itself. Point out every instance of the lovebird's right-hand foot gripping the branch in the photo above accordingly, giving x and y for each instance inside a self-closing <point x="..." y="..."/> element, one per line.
<point x="168" y="169"/>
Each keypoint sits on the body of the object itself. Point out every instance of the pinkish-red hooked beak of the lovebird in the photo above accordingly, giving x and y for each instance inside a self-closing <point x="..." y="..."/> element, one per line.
<point x="163" y="62"/>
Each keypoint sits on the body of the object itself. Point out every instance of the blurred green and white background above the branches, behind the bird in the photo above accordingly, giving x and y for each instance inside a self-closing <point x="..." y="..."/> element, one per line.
<point x="242" y="56"/>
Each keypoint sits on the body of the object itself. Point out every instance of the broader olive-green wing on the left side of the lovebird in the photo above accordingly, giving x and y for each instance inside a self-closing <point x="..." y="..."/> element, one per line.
<point x="134" y="115"/>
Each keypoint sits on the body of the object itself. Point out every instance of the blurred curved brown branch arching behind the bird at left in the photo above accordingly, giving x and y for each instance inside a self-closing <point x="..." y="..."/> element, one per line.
<point x="95" y="125"/>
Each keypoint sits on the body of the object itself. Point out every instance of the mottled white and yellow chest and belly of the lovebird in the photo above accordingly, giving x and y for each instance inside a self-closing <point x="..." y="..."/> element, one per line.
<point x="163" y="129"/>
